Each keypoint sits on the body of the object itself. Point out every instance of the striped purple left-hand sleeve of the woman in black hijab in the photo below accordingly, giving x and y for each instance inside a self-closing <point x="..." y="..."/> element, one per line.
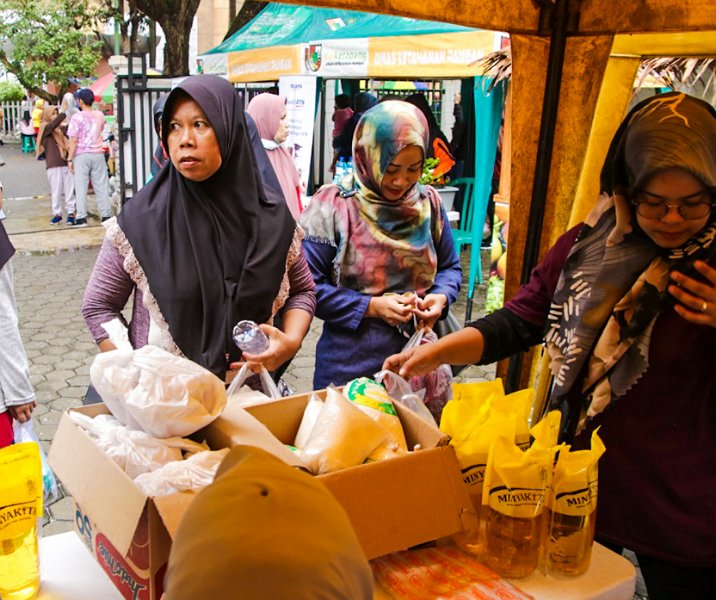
<point x="107" y="291"/>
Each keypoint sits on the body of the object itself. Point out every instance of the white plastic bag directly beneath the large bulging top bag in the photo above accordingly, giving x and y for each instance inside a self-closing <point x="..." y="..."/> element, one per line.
<point x="134" y="451"/>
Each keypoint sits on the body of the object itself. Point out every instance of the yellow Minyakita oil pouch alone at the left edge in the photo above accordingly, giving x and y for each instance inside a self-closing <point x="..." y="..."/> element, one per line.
<point x="20" y="509"/>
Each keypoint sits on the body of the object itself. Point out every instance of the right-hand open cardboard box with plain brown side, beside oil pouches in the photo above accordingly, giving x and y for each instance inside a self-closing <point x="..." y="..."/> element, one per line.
<point x="394" y="504"/>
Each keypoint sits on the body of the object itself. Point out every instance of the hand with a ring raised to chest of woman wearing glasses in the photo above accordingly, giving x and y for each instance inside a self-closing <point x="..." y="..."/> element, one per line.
<point x="697" y="300"/>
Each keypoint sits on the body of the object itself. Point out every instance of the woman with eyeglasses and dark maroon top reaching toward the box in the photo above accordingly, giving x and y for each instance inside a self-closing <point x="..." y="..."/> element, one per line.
<point x="626" y="303"/>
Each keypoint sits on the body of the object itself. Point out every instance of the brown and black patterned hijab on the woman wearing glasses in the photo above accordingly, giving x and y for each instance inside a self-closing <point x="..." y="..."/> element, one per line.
<point x="613" y="285"/>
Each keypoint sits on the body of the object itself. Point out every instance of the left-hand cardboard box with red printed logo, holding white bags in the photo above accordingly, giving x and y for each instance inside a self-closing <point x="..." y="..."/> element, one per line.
<point x="127" y="532"/>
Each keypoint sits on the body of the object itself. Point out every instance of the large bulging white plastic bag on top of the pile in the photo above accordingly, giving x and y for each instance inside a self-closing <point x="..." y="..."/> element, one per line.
<point x="155" y="391"/>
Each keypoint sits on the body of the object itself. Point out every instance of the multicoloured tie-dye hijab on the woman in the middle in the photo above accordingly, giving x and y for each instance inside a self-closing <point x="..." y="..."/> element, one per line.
<point x="381" y="245"/>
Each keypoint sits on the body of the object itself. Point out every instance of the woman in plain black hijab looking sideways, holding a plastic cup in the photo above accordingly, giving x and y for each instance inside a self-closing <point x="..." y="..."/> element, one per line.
<point x="204" y="244"/>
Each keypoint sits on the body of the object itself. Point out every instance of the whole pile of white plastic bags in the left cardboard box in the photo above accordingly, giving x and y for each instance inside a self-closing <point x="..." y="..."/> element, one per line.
<point x="156" y="399"/>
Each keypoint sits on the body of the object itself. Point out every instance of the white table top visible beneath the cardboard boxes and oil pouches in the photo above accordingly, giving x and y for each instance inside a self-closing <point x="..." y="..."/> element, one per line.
<point x="69" y="572"/>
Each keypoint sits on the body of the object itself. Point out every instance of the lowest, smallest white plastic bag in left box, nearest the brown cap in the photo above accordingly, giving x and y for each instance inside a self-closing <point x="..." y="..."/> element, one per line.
<point x="194" y="473"/>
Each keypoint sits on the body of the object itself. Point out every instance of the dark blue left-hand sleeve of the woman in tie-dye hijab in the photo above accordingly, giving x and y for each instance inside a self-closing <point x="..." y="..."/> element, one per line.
<point x="341" y="306"/>
